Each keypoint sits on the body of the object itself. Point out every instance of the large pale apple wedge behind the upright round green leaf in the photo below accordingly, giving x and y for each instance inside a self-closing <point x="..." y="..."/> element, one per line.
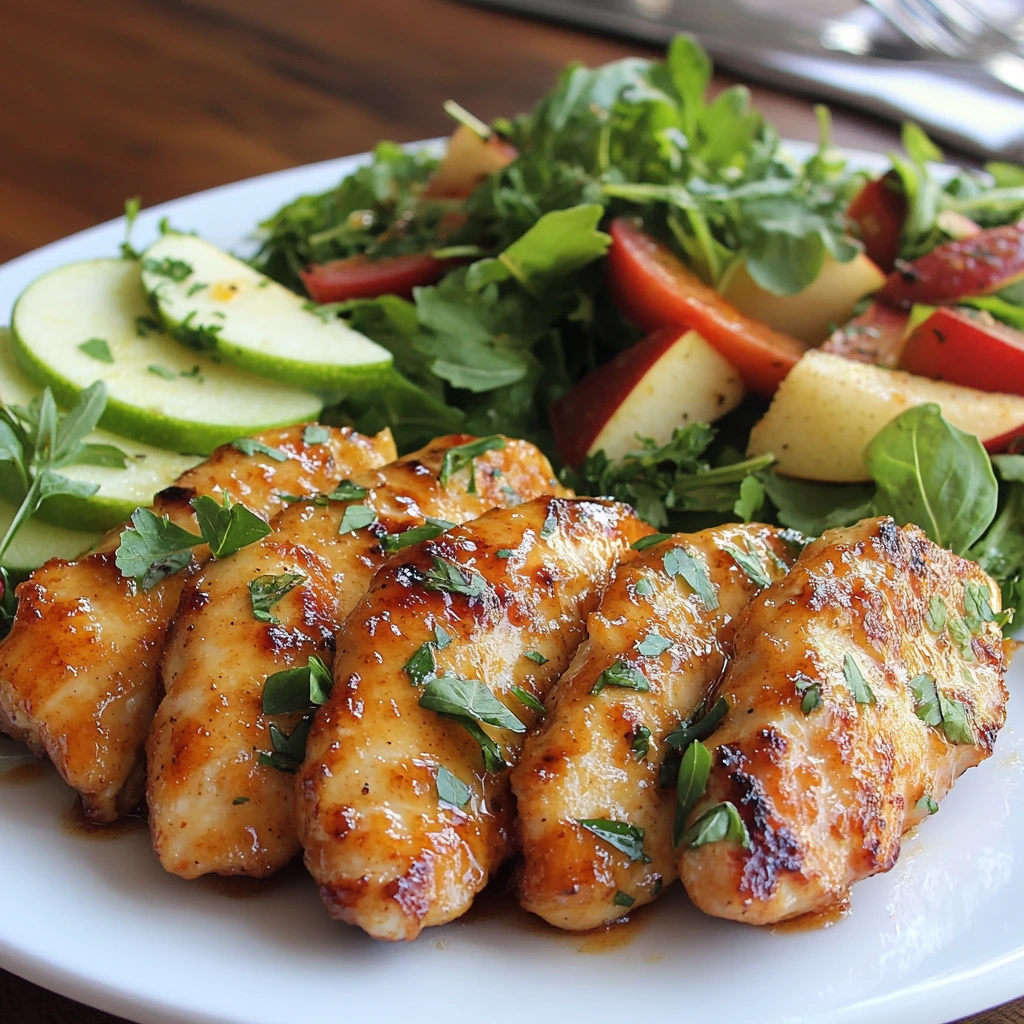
<point x="829" y="409"/>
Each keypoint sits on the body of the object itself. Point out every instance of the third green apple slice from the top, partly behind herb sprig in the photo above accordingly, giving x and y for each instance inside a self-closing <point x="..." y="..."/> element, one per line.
<point x="121" y="491"/>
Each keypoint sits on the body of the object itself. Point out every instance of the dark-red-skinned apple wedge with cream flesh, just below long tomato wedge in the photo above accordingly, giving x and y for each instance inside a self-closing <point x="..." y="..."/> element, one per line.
<point x="670" y="379"/>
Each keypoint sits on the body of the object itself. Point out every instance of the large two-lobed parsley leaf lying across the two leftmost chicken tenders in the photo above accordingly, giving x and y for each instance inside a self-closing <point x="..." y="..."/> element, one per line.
<point x="153" y="547"/>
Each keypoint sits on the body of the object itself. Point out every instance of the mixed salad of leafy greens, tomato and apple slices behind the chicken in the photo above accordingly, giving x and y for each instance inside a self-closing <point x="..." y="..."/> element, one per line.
<point x="479" y="291"/>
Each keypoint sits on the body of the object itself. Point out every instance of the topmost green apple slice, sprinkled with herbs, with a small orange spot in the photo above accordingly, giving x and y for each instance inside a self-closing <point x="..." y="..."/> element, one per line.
<point x="215" y="303"/>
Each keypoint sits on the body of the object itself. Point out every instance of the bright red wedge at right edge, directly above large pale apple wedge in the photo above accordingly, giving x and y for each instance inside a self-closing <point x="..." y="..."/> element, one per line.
<point x="976" y="352"/>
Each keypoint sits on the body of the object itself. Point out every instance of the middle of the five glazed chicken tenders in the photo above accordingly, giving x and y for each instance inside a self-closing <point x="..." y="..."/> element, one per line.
<point x="402" y="821"/>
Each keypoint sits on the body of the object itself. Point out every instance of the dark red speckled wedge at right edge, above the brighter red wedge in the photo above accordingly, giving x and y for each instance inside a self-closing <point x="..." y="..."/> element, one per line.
<point x="983" y="264"/>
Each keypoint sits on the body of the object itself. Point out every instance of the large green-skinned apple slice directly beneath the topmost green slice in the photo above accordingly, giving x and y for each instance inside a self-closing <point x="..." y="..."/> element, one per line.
<point x="160" y="393"/>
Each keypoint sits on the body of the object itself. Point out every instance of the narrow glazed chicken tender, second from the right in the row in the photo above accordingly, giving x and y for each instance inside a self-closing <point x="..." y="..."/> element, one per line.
<point x="598" y="755"/>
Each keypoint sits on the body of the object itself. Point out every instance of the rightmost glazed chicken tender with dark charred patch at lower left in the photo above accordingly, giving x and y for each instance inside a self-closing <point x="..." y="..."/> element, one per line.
<point x="864" y="686"/>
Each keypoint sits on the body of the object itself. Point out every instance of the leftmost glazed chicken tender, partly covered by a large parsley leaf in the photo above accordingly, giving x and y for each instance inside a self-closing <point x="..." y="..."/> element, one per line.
<point x="79" y="676"/>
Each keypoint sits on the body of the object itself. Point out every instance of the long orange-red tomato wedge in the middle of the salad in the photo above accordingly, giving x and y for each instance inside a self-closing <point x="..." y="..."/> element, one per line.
<point x="654" y="289"/>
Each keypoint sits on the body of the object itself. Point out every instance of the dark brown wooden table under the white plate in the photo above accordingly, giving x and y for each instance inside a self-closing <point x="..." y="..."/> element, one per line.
<point x="113" y="99"/>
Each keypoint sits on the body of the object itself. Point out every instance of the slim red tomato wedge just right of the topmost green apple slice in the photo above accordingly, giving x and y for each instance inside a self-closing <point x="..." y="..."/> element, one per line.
<point x="360" y="278"/>
